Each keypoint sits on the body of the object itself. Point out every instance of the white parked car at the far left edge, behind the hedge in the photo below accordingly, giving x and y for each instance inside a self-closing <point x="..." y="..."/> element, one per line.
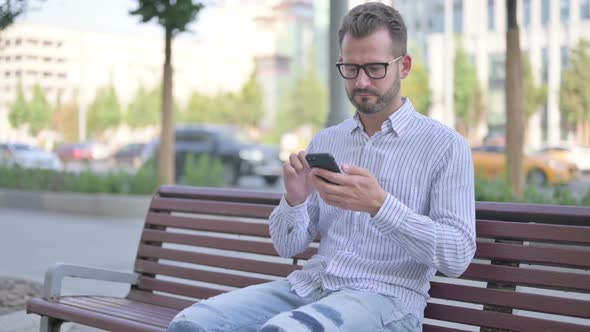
<point x="27" y="156"/>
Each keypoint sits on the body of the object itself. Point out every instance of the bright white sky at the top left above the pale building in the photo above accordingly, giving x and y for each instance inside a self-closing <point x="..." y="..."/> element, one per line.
<point x="110" y="16"/>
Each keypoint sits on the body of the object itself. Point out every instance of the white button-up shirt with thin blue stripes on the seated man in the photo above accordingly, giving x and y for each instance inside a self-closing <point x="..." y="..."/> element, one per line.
<point x="427" y="222"/>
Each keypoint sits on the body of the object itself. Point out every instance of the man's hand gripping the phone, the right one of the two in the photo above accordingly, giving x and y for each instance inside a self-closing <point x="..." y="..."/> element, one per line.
<point x="356" y="189"/>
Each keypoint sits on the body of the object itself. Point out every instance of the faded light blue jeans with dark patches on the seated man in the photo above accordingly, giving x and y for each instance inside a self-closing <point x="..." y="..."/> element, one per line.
<point x="273" y="306"/>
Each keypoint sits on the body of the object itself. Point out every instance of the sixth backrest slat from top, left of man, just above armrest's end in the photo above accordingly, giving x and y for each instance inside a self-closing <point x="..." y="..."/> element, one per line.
<point x="197" y="274"/>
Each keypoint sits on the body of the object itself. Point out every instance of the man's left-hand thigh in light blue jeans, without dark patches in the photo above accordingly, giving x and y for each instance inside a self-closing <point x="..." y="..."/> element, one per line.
<point x="244" y="309"/>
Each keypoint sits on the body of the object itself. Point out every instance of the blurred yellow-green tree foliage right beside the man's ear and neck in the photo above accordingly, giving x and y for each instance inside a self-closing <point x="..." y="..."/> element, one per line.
<point x="417" y="87"/>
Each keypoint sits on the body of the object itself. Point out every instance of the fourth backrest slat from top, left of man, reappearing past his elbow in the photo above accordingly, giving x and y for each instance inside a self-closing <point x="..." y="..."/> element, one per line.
<point x="249" y="246"/>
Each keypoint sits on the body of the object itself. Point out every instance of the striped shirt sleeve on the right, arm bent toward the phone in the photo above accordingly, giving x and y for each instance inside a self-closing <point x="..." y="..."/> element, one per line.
<point x="445" y="239"/>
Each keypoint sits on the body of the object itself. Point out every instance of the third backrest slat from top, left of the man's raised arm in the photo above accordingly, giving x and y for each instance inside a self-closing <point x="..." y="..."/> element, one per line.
<point x="200" y="223"/>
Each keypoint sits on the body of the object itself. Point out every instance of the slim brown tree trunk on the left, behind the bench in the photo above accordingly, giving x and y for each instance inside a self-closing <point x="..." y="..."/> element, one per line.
<point x="166" y="162"/>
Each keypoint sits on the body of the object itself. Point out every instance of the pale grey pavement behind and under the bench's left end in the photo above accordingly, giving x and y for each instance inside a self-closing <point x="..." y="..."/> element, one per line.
<point x="32" y="240"/>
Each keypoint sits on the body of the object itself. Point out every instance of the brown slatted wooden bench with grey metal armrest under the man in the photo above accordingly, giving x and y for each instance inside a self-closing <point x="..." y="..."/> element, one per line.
<point x="531" y="271"/>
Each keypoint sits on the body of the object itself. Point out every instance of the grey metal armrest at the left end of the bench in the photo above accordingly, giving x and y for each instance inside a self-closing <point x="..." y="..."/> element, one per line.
<point x="58" y="271"/>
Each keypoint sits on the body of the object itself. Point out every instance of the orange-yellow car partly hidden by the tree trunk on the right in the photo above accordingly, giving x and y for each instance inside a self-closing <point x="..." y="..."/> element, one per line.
<point x="490" y="161"/>
